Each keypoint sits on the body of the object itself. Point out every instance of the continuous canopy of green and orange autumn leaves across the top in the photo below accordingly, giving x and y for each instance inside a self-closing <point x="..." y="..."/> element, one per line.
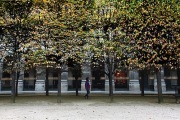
<point x="136" y="34"/>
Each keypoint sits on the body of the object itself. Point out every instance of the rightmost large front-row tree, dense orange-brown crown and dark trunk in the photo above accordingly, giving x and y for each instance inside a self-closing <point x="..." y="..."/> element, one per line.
<point x="155" y="32"/>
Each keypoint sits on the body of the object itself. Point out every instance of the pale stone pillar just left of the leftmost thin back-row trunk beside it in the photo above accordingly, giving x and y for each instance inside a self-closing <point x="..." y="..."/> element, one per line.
<point x="40" y="79"/>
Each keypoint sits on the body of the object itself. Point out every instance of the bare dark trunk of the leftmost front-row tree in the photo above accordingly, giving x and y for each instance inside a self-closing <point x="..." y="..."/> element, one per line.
<point x="13" y="86"/>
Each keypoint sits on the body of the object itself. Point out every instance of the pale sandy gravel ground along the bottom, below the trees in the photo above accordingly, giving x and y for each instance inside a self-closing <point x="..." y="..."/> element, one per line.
<point x="98" y="107"/>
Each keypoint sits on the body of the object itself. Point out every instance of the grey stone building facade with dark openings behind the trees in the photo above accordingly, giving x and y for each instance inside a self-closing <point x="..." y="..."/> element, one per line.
<point x="123" y="81"/>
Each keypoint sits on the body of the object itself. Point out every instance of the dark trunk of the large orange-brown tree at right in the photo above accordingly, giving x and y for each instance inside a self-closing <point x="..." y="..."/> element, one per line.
<point x="159" y="86"/>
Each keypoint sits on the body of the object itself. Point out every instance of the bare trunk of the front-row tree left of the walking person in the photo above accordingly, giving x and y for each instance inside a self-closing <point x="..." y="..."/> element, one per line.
<point x="59" y="86"/>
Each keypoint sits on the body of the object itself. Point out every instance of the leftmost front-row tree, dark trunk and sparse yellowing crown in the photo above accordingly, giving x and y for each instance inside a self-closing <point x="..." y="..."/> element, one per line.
<point x="15" y="31"/>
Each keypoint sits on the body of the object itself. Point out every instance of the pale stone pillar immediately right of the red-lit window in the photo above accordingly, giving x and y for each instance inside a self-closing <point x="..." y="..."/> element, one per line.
<point x="134" y="81"/>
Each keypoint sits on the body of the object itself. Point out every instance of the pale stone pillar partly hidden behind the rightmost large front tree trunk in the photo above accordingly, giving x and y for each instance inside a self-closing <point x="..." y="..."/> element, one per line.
<point x="162" y="81"/>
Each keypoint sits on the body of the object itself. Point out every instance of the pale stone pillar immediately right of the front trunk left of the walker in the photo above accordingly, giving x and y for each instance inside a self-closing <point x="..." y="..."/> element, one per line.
<point x="64" y="83"/>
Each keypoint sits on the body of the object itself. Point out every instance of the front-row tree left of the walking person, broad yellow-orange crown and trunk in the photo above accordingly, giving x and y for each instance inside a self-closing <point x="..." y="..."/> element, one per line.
<point x="62" y="25"/>
